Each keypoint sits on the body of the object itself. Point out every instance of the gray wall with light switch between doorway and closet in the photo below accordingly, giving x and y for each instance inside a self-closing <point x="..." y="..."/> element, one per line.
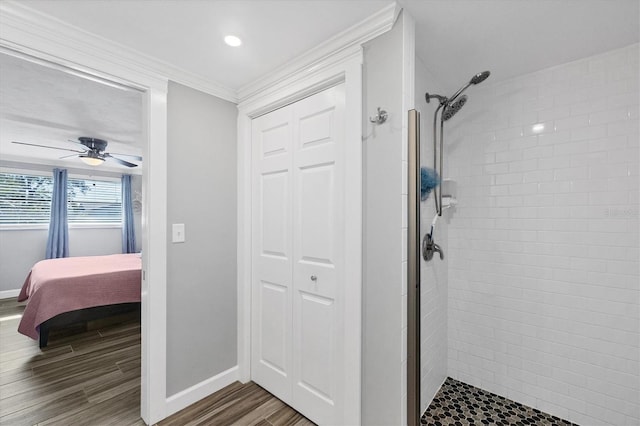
<point x="201" y="272"/>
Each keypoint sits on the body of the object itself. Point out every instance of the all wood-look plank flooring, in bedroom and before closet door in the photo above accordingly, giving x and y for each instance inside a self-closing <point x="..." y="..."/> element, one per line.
<point x="93" y="378"/>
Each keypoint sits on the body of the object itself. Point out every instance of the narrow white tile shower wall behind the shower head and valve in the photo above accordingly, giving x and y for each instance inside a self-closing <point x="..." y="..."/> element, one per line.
<point x="433" y="274"/>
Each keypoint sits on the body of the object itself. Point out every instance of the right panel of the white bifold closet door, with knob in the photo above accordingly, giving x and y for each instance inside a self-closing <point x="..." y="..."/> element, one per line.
<point x="318" y="235"/>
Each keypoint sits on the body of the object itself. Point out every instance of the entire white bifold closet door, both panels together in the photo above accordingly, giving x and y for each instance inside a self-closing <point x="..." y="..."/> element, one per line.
<point x="298" y="254"/>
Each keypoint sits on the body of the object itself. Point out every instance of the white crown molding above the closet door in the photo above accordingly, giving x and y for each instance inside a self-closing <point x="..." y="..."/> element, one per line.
<point x="371" y="27"/>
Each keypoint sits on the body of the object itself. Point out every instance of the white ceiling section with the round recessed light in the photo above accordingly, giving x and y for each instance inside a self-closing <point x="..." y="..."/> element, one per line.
<point x="189" y="33"/>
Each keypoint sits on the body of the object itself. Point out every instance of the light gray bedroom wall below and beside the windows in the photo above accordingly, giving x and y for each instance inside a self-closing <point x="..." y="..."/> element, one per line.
<point x="20" y="249"/>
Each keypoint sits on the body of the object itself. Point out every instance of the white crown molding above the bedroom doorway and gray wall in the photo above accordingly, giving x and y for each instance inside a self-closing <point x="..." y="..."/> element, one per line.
<point x="31" y="32"/>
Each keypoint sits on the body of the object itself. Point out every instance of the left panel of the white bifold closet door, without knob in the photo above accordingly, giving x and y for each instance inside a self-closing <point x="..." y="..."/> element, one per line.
<point x="271" y="296"/>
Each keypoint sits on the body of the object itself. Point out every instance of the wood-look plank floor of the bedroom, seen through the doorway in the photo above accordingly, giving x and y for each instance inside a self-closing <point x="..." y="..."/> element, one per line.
<point x="84" y="378"/>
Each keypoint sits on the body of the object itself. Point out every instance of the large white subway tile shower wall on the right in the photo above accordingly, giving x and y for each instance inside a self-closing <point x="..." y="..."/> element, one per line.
<point x="543" y="279"/>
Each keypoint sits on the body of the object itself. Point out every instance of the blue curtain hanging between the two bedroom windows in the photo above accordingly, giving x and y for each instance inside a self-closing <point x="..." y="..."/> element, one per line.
<point x="58" y="241"/>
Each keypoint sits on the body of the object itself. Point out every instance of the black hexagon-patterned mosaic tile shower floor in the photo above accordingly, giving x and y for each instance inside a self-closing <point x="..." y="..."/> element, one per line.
<point x="459" y="404"/>
